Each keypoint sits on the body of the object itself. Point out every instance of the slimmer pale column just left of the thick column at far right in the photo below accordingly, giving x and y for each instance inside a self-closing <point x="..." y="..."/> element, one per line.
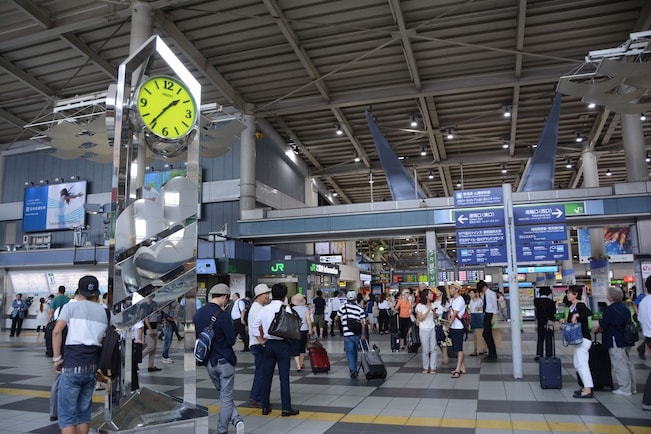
<point x="599" y="270"/>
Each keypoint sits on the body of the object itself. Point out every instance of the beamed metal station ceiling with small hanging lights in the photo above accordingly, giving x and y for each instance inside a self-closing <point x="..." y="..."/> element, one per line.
<point x="307" y="66"/>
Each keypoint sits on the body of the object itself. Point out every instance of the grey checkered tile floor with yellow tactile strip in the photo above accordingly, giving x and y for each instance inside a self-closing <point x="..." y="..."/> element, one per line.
<point x="485" y="400"/>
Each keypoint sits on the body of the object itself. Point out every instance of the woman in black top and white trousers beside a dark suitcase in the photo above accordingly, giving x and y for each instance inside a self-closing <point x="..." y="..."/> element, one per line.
<point x="579" y="312"/>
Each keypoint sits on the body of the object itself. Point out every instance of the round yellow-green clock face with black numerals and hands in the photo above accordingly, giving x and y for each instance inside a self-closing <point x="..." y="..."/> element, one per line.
<point x="166" y="107"/>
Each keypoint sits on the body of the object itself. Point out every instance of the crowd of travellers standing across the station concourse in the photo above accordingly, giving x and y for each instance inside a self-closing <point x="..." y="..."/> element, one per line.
<point x="441" y="316"/>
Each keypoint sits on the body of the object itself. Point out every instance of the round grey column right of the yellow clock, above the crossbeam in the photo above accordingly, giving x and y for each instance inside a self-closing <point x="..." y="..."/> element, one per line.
<point x="247" y="162"/>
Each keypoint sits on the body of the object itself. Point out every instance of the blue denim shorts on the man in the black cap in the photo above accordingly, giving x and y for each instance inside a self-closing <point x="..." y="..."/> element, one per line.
<point x="74" y="397"/>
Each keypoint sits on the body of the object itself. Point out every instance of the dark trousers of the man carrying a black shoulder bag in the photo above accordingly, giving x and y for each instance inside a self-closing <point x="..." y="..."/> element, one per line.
<point x="276" y="352"/>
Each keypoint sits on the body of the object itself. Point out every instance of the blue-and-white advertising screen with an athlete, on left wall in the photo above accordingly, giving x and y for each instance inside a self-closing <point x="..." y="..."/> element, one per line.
<point x="53" y="207"/>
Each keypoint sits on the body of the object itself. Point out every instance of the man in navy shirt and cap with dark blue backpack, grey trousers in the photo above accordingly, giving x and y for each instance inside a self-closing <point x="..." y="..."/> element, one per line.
<point x="221" y="364"/>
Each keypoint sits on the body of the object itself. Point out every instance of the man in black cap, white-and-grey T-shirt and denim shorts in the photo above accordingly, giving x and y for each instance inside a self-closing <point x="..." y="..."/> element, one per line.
<point x="87" y="322"/>
